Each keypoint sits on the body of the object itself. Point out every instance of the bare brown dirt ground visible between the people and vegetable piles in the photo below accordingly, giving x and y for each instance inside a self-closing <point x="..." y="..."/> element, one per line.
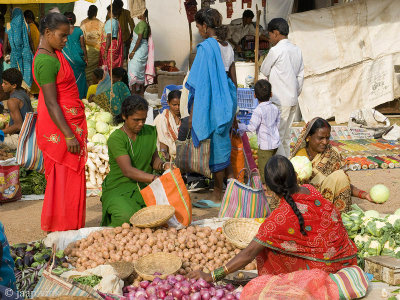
<point x="21" y="219"/>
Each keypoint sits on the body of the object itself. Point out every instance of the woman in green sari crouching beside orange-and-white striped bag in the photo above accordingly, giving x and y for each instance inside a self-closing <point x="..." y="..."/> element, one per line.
<point x="132" y="150"/>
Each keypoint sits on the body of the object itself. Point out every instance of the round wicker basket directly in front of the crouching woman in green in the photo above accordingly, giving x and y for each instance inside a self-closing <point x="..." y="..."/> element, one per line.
<point x="152" y="216"/>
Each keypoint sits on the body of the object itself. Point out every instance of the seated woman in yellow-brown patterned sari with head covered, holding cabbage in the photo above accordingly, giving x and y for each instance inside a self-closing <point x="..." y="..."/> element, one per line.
<point x="328" y="176"/>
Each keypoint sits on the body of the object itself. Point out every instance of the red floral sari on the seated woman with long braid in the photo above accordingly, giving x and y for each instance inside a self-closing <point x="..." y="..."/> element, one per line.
<point x="326" y="245"/>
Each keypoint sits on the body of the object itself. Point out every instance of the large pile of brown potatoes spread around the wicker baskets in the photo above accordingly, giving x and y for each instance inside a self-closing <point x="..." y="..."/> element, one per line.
<point x="198" y="247"/>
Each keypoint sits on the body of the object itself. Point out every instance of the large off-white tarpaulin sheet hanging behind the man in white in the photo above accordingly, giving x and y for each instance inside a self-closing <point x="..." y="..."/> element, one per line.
<point x="349" y="54"/>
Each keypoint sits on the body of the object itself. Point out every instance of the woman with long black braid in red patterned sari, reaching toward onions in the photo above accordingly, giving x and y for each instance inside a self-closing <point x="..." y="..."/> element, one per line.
<point x="304" y="232"/>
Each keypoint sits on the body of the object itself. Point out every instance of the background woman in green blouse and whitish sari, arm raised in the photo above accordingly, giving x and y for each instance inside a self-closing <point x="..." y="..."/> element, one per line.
<point x="138" y="54"/>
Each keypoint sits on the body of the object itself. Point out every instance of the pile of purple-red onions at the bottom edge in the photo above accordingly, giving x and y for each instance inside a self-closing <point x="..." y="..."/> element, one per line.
<point x="179" y="288"/>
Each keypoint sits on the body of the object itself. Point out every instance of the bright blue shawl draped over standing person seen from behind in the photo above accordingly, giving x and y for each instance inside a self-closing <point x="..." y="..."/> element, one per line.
<point x="213" y="96"/>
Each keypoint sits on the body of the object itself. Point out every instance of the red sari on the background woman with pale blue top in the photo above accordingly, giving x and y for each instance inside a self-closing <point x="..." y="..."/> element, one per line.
<point x="116" y="48"/>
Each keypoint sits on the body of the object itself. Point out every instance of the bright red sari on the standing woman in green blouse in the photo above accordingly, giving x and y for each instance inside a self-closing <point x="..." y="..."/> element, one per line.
<point x="64" y="205"/>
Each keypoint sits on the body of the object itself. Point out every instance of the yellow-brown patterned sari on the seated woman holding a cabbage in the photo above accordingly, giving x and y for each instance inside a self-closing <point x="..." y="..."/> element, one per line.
<point x="328" y="175"/>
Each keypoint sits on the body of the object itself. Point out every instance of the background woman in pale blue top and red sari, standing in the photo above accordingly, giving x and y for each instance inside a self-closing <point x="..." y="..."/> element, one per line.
<point x="111" y="41"/>
